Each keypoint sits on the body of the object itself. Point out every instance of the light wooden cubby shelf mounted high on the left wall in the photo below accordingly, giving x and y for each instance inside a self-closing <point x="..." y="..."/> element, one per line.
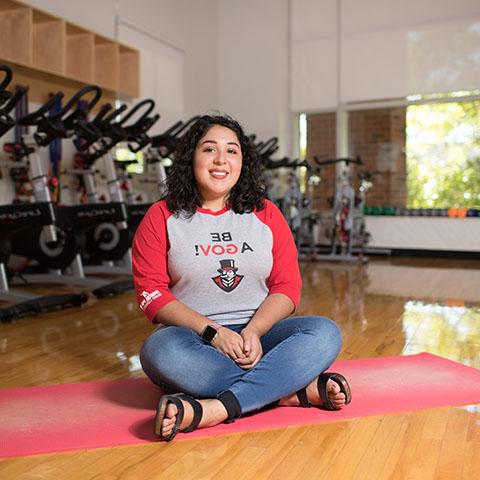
<point x="49" y="52"/>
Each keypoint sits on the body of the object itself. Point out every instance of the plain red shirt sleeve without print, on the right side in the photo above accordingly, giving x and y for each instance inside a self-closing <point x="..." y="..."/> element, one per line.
<point x="285" y="275"/>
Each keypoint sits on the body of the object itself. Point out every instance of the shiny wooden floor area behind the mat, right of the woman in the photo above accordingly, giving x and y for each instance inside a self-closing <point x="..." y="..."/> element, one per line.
<point x="393" y="307"/>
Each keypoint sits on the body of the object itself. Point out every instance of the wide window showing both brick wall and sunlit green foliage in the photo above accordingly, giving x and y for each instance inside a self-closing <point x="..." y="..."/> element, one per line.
<point x="423" y="155"/>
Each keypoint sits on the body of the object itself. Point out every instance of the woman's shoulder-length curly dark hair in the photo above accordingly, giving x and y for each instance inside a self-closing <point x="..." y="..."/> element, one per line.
<point x="182" y="193"/>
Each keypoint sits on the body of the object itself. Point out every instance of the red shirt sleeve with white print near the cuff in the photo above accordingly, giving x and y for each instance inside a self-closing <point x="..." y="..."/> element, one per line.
<point x="149" y="261"/>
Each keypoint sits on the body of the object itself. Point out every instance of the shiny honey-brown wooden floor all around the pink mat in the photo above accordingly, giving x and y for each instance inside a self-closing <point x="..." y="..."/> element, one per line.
<point x="388" y="307"/>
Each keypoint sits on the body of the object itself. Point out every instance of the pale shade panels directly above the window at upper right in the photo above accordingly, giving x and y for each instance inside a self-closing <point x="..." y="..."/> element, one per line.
<point x="388" y="49"/>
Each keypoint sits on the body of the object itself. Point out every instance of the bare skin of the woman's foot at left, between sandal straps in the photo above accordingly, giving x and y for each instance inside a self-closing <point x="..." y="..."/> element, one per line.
<point x="213" y="413"/>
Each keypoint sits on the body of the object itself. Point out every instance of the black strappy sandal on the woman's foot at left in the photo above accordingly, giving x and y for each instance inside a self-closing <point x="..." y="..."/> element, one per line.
<point x="176" y="399"/>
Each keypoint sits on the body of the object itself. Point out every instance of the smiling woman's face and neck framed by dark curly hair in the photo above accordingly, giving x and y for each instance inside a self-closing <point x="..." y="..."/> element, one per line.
<point x="217" y="163"/>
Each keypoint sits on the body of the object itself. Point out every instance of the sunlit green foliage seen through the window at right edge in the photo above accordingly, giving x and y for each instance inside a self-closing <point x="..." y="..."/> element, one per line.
<point x="443" y="153"/>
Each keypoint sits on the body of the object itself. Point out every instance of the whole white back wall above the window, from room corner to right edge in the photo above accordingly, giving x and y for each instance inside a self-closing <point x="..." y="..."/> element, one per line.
<point x="277" y="57"/>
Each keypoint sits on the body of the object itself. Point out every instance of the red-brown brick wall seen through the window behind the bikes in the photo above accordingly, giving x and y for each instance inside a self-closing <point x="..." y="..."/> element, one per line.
<point x="378" y="137"/>
